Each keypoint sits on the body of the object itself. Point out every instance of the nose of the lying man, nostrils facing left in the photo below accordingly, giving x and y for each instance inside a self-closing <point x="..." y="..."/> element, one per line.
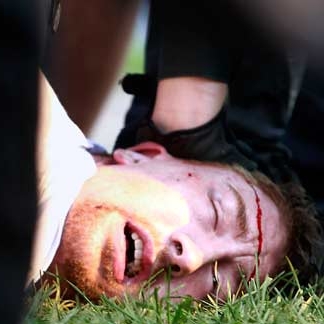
<point x="185" y="256"/>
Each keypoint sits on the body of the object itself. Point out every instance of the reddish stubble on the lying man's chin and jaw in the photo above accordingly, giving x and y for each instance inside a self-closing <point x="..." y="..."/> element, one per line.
<point x="85" y="254"/>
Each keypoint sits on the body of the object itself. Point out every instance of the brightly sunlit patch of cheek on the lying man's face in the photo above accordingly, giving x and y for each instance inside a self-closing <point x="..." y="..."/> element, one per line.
<point x="146" y="200"/>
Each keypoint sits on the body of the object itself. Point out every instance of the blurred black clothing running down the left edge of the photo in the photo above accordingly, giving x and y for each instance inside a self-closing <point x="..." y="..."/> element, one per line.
<point x="22" y="31"/>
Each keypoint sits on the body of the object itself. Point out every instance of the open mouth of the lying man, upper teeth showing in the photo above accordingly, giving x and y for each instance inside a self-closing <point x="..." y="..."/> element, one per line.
<point x="134" y="253"/>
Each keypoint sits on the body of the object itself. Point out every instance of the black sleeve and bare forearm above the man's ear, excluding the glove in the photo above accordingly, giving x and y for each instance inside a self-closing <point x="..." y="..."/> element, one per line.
<point x="194" y="64"/>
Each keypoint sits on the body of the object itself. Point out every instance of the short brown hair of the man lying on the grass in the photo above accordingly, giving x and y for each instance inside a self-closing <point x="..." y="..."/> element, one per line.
<point x="304" y="234"/>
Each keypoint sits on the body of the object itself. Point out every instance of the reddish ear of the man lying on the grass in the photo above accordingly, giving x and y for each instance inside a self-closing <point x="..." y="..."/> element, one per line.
<point x="139" y="153"/>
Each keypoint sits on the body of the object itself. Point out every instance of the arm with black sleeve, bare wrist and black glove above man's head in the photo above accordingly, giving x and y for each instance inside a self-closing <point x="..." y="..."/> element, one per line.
<point x="192" y="63"/>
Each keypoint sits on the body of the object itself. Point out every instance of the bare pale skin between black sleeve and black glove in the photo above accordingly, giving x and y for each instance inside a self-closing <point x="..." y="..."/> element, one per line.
<point x="187" y="102"/>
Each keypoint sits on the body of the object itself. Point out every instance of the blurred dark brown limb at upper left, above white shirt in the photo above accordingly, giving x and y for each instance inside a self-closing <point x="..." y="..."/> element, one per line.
<point x="85" y="55"/>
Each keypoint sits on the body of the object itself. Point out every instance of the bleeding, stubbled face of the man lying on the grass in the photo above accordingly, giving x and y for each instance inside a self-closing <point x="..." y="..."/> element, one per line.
<point x="150" y="211"/>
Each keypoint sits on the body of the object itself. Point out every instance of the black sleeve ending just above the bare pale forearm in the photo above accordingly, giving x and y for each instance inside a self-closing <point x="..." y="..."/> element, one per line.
<point x="190" y="40"/>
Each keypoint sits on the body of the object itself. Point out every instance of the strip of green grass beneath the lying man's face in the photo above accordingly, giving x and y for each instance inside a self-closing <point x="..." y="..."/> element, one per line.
<point x="264" y="303"/>
